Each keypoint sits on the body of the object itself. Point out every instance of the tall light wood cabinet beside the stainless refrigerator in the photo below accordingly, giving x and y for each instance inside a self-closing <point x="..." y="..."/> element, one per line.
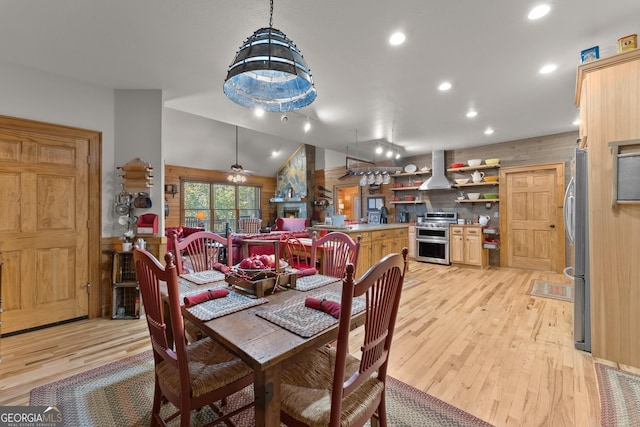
<point x="607" y="93"/>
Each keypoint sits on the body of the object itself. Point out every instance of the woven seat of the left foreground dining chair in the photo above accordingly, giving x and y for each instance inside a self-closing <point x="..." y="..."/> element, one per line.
<point x="210" y="367"/>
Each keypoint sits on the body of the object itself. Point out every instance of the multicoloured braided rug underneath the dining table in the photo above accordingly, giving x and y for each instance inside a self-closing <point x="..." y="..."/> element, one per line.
<point x="120" y="394"/>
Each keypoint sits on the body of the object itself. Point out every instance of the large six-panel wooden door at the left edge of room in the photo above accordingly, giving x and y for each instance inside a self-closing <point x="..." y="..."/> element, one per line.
<point x="44" y="226"/>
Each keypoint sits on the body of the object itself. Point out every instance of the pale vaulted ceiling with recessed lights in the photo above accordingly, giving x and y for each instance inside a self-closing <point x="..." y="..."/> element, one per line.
<point x="368" y="90"/>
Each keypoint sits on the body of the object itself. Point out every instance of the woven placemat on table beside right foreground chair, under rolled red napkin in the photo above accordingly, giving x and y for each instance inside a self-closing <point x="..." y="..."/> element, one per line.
<point x="305" y="321"/>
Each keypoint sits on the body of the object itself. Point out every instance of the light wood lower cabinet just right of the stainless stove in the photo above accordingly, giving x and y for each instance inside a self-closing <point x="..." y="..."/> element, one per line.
<point x="465" y="246"/>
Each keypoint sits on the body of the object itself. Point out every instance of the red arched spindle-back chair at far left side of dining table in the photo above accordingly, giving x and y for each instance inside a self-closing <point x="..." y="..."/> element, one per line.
<point x="200" y="251"/>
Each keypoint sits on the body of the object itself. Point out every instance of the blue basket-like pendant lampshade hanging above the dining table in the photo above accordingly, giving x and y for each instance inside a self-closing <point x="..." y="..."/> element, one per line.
<point x="270" y="72"/>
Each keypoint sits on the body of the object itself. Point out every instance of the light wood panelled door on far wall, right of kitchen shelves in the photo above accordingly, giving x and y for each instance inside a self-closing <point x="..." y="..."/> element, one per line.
<point x="531" y="217"/>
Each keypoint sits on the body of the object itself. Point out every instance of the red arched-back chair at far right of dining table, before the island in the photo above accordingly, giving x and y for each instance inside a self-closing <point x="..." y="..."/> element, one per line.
<point x="335" y="250"/>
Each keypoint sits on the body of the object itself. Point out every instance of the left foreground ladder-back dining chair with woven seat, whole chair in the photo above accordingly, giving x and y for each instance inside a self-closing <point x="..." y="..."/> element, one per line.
<point x="188" y="376"/>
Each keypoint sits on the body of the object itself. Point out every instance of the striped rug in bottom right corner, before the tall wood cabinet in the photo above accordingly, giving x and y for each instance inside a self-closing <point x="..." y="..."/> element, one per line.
<point x="619" y="397"/>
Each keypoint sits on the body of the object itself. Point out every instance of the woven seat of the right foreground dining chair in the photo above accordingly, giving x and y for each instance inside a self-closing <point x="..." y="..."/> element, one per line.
<point x="307" y="385"/>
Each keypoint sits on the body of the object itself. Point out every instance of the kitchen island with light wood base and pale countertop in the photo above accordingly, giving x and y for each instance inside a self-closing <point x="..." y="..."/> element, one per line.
<point x="377" y="241"/>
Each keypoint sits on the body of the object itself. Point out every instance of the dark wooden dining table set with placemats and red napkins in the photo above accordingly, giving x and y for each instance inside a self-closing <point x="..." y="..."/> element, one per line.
<point x="267" y="347"/>
